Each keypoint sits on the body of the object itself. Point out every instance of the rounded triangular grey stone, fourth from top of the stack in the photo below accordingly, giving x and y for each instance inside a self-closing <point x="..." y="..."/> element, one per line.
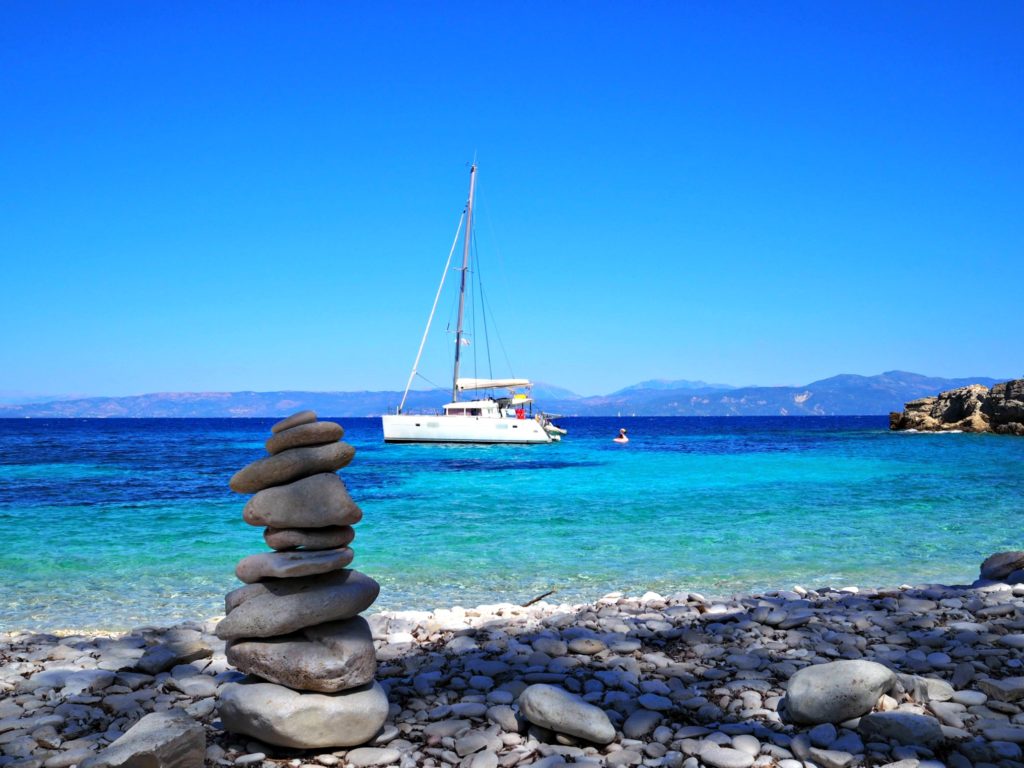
<point x="314" y="502"/>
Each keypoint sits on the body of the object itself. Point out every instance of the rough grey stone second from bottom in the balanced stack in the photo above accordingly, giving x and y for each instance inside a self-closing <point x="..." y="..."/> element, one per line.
<point x="328" y="658"/>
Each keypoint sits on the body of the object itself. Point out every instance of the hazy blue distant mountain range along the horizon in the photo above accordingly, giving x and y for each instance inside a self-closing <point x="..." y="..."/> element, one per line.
<point x="847" y="395"/>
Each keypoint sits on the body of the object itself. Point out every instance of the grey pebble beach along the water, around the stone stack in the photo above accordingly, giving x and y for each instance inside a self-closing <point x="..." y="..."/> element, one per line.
<point x="925" y="676"/>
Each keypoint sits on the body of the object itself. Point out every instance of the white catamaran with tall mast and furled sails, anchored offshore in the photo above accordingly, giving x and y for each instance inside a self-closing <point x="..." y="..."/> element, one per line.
<point x="504" y="418"/>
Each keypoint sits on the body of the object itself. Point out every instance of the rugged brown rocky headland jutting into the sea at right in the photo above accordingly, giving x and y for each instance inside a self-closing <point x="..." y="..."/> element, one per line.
<point x="971" y="409"/>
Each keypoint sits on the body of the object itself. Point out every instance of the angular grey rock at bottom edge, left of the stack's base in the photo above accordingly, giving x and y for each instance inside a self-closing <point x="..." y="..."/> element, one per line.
<point x="161" y="740"/>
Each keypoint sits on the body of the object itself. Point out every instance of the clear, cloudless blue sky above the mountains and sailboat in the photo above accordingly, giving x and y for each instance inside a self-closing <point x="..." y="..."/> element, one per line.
<point x="262" y="196"/>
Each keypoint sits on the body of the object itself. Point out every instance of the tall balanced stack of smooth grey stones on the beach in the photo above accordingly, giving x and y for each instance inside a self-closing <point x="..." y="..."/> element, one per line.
<point x="295" y="627"/>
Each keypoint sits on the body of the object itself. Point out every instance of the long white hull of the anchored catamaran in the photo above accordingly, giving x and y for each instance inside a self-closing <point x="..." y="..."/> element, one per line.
<point x="407" y="429"/>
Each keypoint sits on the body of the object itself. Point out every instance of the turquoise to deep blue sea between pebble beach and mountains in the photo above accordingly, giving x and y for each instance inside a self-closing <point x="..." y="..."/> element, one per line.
<point x="113" y="524"/>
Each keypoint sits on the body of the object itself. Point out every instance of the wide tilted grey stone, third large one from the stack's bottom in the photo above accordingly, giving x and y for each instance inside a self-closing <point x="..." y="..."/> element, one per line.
<point x="283" y="607"/>
